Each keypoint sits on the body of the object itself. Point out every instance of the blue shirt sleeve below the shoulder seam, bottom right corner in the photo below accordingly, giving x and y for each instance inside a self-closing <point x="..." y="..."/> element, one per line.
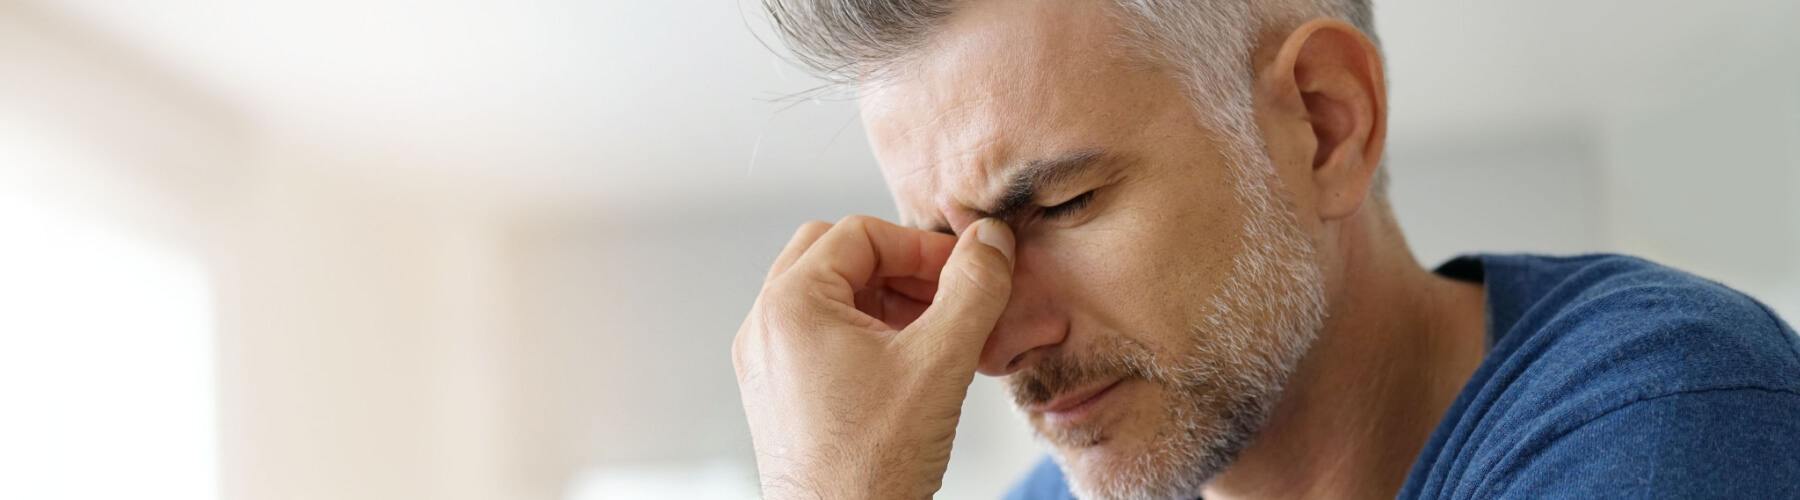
<point x="1725" y="443"/>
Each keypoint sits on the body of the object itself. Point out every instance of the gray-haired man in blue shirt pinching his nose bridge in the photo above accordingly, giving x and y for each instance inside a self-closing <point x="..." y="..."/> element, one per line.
<point x="1164" y="224"/>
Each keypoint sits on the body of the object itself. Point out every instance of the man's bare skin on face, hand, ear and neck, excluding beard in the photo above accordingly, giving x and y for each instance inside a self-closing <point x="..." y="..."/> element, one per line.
<point x="859" y="352"/>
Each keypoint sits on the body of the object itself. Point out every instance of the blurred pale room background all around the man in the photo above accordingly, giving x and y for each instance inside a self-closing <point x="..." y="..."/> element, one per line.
<point x="397" y="249"/>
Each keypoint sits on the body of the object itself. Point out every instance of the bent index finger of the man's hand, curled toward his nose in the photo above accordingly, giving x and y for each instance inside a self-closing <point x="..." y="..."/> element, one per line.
<point x="859" y="249"/>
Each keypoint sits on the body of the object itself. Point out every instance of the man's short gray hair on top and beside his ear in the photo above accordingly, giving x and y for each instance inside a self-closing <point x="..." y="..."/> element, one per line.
<point x="1203" y="42"/>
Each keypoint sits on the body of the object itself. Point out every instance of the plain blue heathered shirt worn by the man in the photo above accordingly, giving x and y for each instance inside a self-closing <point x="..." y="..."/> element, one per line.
<point x="1606" y="377"/>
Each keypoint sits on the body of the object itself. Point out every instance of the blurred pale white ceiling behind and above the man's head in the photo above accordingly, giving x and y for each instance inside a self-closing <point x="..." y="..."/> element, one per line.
<point x="679" y="100"/>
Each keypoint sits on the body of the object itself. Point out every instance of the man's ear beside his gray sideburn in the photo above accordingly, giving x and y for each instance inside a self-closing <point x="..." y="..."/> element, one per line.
<point x="1329" y="76"/>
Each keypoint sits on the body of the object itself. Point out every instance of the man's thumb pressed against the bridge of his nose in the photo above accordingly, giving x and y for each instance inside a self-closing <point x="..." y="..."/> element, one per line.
<point x="973" y="290"/>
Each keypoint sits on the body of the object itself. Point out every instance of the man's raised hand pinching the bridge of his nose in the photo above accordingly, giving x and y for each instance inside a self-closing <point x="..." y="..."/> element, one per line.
<point x="859" y="352"/>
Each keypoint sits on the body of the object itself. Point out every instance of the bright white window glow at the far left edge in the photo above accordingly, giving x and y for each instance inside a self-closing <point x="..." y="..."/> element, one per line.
<point x="107" y="364"/>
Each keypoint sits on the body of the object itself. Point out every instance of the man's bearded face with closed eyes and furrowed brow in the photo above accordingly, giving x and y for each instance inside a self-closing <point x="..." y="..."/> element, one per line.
<point x="1160" y="296"/>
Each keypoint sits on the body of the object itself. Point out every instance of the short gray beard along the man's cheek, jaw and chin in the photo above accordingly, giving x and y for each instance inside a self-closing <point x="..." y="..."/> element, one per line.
<point x="1221" y="393"/>
